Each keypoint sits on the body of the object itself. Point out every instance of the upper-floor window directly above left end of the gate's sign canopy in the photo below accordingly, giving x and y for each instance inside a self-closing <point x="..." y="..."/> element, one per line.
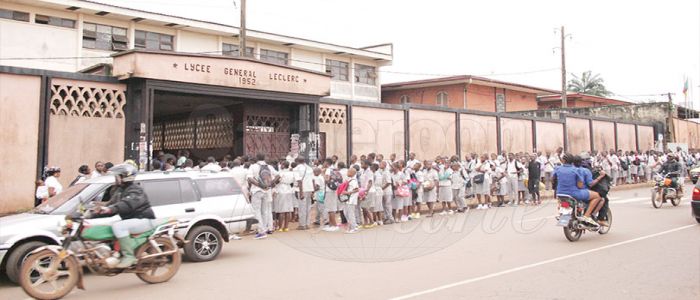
<point x="97" y="36"/>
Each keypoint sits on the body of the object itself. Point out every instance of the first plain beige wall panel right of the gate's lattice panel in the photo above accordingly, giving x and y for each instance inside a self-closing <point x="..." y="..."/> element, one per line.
<point x="377" y="130"/>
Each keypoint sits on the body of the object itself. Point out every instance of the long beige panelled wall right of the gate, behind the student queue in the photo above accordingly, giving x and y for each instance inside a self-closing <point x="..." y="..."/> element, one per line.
<point x="428" y="131"/>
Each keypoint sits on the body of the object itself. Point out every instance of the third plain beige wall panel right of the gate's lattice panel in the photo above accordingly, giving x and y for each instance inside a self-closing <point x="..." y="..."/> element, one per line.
<point x="478" y="134"/>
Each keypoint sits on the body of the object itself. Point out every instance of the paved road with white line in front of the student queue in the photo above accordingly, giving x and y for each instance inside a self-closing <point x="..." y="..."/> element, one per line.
<point x="505" y="253"/>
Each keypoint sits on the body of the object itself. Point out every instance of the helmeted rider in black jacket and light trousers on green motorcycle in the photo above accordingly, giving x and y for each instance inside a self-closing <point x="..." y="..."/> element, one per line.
<point x="129" y="201"/>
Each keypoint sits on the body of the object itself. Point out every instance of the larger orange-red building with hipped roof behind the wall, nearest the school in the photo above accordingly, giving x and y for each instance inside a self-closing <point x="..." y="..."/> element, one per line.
<point x="465" y="92"/>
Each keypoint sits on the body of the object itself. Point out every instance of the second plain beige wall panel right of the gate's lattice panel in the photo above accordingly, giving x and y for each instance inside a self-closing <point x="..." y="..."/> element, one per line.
<point x="432" y="133"/>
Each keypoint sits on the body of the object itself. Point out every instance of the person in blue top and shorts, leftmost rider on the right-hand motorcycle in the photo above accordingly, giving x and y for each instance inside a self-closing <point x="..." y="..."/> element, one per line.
<point x="571" y="183"/>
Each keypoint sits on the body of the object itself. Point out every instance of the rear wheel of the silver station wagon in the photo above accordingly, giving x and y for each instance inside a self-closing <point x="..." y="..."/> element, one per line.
<point x="204" y="243"/>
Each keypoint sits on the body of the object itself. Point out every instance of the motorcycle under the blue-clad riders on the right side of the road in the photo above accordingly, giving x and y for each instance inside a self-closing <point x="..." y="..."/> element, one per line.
<point x="571" y="218"/>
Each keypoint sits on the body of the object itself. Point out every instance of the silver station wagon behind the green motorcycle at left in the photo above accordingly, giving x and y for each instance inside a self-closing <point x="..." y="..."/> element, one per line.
<point x="211" y="207"/>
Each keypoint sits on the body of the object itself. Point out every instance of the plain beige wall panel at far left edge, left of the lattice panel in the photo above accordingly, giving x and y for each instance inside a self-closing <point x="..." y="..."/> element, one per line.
<point x="19" y="120"/>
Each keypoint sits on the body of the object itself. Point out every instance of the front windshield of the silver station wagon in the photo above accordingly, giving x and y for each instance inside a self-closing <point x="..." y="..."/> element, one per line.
<point x="67" y="200"/>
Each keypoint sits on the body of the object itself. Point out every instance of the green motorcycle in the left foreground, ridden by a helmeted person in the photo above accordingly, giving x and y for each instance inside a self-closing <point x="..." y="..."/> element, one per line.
<point x="51" y="272"/>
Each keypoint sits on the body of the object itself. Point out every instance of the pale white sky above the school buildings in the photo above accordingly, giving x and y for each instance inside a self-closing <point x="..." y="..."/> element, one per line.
<point x="640" y="48"/>
